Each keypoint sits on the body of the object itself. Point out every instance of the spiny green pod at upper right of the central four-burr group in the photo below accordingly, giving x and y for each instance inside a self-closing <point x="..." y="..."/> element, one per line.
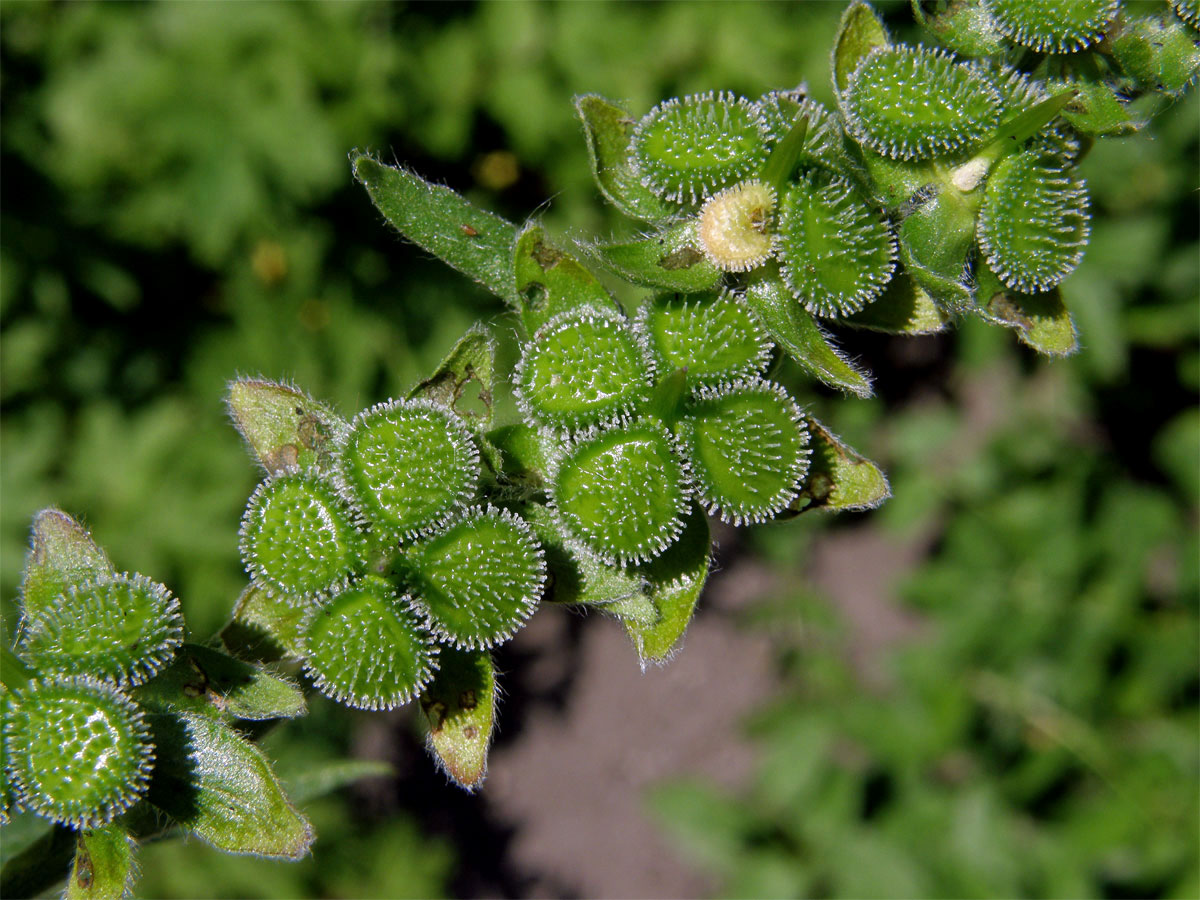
<point x="713" y="337"/>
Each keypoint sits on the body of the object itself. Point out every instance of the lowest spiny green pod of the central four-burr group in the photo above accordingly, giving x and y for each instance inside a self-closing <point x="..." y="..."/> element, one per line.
<point x="622" y="493"/>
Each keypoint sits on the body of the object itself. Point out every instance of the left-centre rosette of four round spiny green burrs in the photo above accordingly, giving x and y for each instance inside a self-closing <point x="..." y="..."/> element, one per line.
<point x="391" y="554"/>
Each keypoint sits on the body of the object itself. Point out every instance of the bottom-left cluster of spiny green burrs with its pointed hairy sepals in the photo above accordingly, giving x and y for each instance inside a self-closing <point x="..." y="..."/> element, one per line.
<point x="106" y="711"/>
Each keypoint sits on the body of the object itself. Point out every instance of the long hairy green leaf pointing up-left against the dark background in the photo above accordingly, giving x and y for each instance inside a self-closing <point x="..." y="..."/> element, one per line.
<point x="477" y="243"/>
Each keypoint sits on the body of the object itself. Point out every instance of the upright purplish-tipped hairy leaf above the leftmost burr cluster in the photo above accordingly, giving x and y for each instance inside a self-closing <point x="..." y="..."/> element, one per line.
<point x="62" y="554"/>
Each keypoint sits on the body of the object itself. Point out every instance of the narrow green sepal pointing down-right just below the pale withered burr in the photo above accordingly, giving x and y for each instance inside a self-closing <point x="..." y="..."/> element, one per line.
<point x="797" y="333"/>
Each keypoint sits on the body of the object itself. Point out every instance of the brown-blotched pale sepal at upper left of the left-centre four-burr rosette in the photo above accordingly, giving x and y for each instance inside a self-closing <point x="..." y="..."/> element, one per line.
<point x="284" y="428"/>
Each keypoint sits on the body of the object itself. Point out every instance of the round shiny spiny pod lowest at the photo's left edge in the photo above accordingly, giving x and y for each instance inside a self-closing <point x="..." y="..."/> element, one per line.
<point x="79" y="752"/>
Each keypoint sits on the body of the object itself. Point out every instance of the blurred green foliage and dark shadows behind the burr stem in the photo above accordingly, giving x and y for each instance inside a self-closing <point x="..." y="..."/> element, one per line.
<point x="178" y="209"/>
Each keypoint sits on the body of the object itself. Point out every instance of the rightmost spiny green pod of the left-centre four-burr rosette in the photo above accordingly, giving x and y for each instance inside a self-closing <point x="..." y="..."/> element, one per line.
<point x="478" y="581"/>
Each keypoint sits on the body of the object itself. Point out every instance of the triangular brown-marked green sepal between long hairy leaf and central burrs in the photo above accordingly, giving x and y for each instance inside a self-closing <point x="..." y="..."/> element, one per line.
<point x="550" y="283"/>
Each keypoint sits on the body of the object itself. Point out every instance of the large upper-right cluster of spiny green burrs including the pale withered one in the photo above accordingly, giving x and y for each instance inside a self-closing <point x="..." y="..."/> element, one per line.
<point x="944" y="177"/>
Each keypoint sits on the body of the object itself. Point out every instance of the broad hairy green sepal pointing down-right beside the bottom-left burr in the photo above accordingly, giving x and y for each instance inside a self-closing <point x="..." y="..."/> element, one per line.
<point x="221" y="789"/>
